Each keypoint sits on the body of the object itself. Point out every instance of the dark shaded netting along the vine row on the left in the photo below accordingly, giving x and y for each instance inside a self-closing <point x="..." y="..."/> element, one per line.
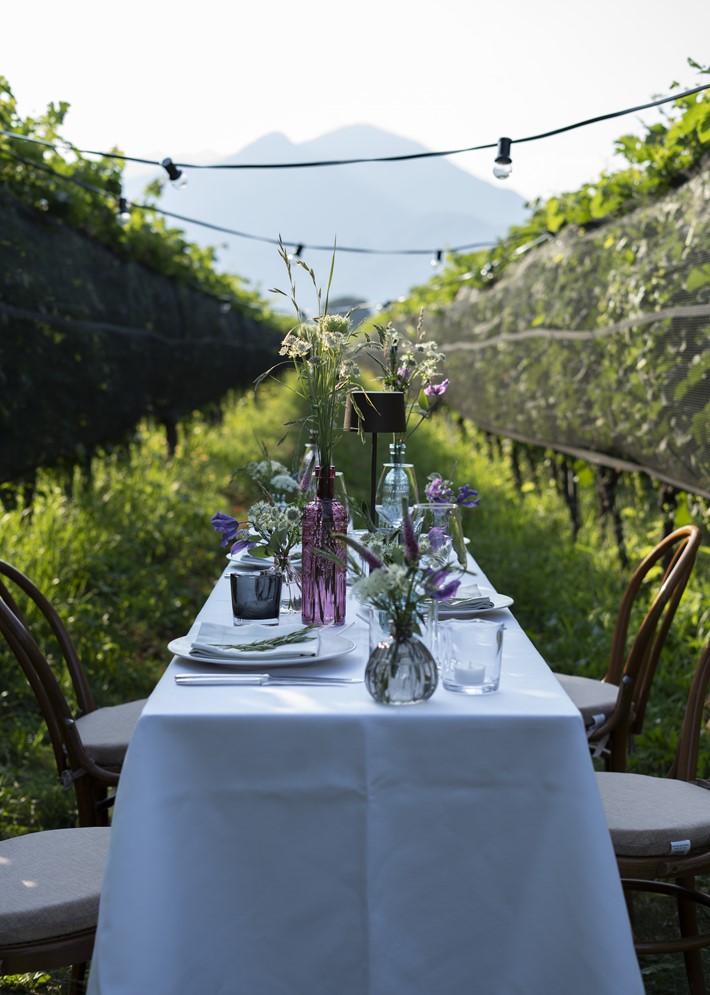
<point x="91" y="343"/>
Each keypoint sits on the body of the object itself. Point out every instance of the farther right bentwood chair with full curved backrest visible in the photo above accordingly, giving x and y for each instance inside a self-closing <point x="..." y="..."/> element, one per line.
<point x="613" y="709"/>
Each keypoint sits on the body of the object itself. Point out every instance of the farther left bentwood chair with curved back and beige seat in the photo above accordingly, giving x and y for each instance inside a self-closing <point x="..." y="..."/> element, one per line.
<point x="89" y="743"/>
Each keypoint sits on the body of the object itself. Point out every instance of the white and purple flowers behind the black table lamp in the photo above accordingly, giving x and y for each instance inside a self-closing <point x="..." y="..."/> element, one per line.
<point x="409" y="365"/>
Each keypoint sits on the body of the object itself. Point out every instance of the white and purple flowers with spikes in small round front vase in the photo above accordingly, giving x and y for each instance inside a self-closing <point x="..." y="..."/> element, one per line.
<point x="403" y="587"/>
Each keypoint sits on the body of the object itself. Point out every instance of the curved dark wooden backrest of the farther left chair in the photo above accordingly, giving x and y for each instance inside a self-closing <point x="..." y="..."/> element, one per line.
<point x="75" y="768"/>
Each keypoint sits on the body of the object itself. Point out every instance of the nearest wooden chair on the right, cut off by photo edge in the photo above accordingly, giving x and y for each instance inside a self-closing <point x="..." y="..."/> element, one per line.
<point x="660" y="829"/>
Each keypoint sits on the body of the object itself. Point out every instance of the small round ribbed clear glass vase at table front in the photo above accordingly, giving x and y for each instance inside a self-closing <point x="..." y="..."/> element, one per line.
<point x="401" y="671"/>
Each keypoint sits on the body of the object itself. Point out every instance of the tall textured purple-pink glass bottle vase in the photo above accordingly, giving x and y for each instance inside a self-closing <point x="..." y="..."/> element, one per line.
<point x="322" y="580"/>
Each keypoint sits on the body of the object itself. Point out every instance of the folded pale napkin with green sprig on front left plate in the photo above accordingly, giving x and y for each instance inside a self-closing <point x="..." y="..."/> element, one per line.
<point x="255" y="641"/>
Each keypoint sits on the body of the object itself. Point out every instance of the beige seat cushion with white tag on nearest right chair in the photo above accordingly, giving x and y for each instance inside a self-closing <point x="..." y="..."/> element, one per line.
<point x="647" y="815"/>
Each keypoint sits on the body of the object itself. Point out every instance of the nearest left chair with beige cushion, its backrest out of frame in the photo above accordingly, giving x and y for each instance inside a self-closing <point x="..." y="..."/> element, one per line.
<point x="50" y="883"/>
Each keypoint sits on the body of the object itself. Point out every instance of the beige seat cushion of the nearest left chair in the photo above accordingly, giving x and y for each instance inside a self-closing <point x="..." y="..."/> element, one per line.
<point x="50" y="883"/>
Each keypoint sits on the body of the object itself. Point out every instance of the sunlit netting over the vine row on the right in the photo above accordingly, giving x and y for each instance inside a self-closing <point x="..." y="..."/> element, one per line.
<point x="597" y="343"/>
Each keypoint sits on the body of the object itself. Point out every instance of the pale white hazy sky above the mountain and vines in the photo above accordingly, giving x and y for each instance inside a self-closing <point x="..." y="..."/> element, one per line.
<point x="203" y="80"/>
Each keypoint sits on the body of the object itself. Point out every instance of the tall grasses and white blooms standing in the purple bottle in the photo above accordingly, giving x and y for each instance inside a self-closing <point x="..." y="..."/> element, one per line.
<point x="321" y="353"/>
